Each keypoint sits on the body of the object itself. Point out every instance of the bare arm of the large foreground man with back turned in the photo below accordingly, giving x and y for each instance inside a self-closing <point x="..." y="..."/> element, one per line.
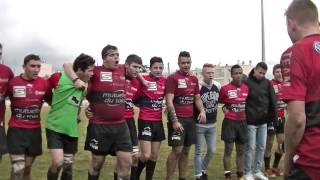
<point x="293" y="131"/>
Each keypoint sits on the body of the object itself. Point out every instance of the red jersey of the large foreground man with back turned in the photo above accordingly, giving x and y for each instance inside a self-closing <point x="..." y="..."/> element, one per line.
<point x="301" y="67"/>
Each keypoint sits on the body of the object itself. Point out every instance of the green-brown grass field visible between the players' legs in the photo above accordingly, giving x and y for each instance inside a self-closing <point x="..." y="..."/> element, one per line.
<point x="81" y="163"/>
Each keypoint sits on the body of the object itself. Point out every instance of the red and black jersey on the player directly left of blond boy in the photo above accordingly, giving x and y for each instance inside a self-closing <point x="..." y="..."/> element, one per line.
<point x="184" y="87"/>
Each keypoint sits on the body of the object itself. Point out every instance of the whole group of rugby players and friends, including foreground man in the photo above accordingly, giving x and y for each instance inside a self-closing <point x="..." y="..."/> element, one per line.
<point x="254" y="110"/>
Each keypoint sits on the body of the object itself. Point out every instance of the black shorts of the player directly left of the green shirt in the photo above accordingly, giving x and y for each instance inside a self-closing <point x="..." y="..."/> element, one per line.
<point x="24" y="141"/>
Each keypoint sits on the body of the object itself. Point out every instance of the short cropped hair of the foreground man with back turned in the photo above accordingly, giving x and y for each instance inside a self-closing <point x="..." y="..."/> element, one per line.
<point x="303" y="11"/>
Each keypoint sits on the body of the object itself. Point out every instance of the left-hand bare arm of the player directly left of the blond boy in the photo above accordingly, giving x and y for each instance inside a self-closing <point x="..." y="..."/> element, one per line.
<point x="172" y="113"/>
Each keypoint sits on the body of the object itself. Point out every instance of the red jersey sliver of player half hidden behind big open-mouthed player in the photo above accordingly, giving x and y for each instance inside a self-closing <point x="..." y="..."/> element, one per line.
<point x="132" y="87"/>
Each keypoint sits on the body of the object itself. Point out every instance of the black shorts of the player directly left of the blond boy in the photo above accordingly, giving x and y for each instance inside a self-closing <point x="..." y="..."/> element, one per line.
<point x="185" y="138"/>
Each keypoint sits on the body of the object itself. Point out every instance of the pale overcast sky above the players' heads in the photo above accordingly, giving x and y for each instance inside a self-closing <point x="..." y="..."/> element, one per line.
<point x="212" y="31"/>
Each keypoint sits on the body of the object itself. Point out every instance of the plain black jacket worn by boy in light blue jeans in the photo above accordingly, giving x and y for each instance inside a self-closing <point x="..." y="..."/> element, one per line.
<point x="261" y="101"/>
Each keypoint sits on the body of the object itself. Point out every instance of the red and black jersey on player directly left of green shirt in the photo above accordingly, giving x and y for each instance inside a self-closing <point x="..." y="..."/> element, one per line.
<point x="26" y="98"/>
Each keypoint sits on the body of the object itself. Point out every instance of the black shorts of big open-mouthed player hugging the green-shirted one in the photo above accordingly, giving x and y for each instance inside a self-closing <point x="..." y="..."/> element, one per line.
<point x="105" y="139"/>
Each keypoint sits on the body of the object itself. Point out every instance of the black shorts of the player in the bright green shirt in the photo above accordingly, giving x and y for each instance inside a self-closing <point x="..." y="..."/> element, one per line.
<point x="57" y="140"/>
